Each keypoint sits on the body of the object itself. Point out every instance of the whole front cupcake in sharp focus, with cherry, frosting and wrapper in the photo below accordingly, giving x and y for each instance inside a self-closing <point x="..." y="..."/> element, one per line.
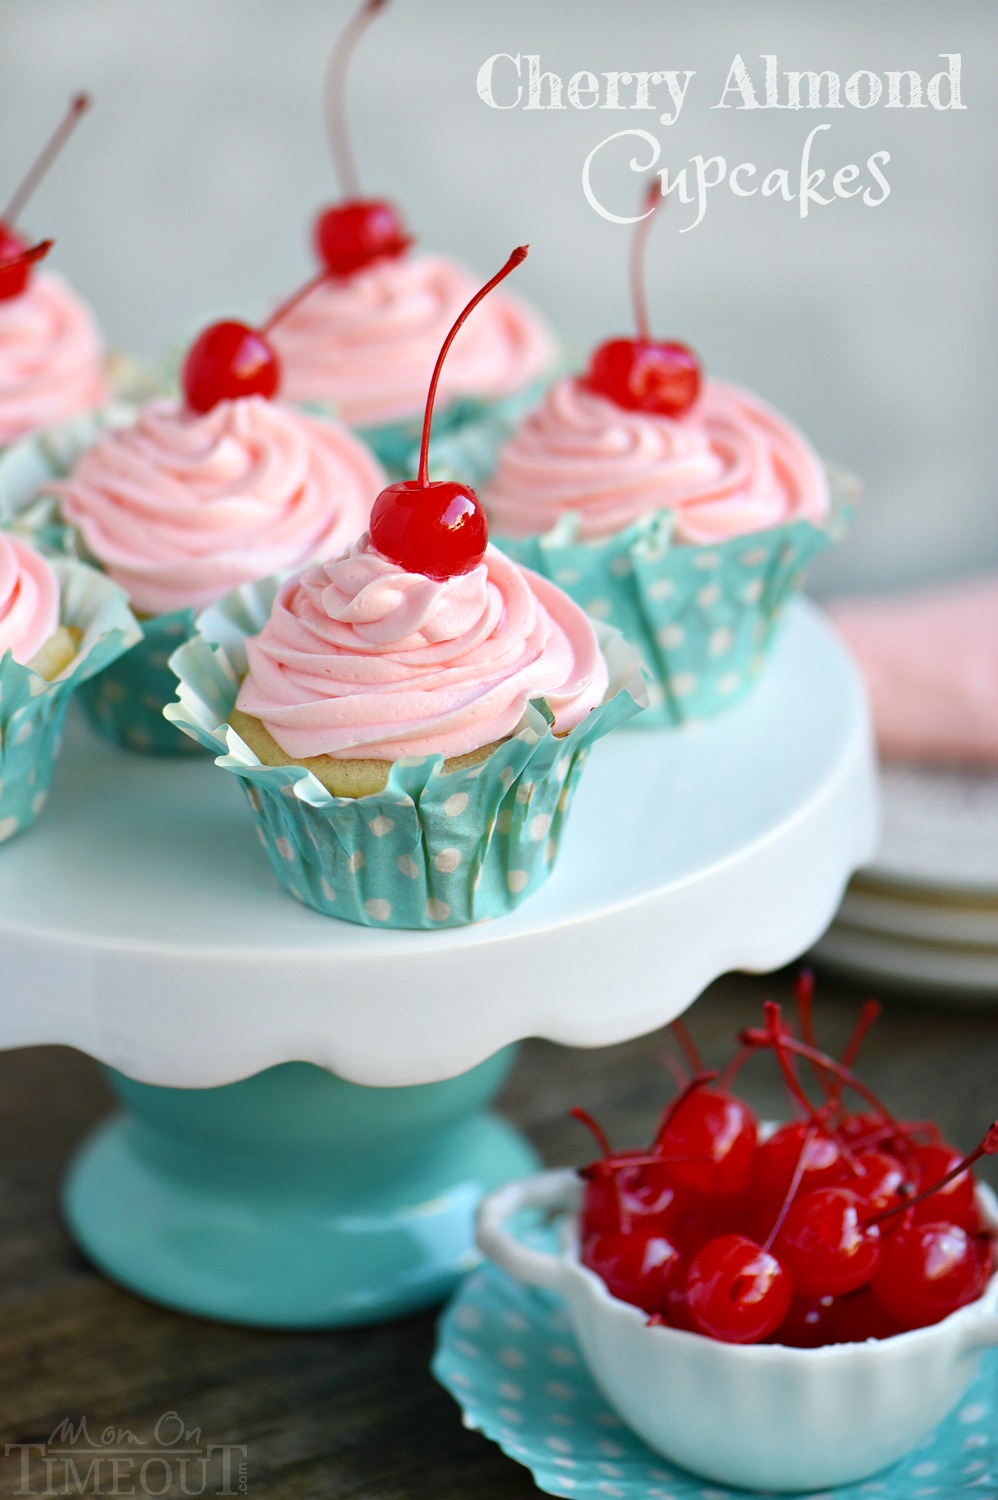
<point x="410" y="718"/>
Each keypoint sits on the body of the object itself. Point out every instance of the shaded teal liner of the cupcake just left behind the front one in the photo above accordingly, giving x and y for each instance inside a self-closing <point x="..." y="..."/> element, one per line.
<point x="127" y="701"/>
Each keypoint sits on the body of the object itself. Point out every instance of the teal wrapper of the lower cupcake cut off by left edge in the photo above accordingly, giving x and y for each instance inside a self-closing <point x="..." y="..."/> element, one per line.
<point x="32" y="710"/>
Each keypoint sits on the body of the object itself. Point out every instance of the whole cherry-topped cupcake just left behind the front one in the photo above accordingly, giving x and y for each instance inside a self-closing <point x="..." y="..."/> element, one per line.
<point x="200" y="496"/>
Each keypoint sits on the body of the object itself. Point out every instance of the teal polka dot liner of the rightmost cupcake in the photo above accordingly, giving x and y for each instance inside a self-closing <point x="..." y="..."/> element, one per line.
<point x="705" y="619"/>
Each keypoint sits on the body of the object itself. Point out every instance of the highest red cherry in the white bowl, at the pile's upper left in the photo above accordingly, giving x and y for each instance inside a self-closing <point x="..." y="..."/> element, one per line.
<point x="718" y="1133"/>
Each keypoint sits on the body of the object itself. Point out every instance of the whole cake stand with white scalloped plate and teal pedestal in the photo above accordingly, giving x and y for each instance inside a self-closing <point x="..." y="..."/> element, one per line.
<point x="140" y="923"/>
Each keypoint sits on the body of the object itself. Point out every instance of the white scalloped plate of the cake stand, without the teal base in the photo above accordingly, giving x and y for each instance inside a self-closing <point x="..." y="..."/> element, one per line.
<point x="142" y="925"/>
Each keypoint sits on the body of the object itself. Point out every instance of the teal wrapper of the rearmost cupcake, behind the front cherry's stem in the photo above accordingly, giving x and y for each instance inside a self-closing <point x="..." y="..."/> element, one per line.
<point x="467" y="437"/>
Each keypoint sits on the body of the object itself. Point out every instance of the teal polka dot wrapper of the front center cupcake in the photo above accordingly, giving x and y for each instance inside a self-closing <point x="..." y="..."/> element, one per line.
<point x="436" y="848"/>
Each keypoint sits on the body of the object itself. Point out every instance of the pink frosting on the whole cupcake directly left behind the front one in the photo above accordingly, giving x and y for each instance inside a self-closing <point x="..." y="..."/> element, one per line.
<point x="182" y="508"/>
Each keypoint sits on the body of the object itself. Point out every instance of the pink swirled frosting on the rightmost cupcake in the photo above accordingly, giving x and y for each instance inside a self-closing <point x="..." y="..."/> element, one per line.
<point x="729" y="467"/>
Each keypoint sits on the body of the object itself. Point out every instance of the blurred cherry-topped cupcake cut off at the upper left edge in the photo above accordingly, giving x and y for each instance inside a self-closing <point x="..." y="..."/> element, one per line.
<point x="52" y="358"/>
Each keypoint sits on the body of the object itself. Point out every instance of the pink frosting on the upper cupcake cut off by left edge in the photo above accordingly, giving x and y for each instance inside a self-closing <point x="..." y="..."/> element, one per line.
<point x="50" y="359"/>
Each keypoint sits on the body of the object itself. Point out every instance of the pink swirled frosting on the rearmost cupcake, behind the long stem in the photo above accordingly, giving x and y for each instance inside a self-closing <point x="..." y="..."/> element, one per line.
<point x="367" y="344"/>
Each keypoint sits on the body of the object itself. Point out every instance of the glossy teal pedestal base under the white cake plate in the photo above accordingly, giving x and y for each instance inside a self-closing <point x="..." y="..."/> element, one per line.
<point x="293" y="1199"/>
